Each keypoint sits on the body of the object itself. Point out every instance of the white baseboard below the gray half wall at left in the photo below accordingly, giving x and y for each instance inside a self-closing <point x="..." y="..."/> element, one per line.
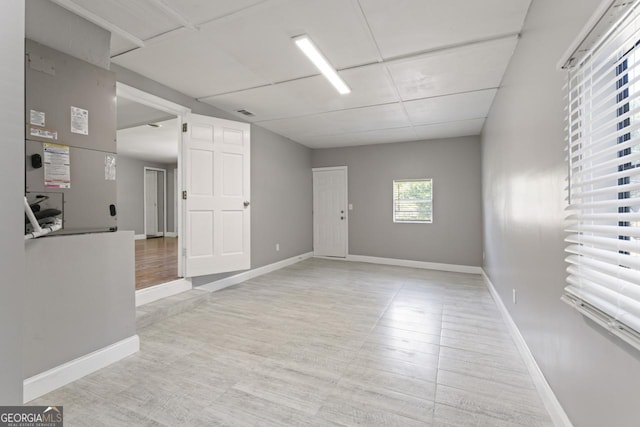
<point x="59" y="376"/>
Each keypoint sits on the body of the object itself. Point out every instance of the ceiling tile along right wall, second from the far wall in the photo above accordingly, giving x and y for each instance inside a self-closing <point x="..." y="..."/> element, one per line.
<point x="463" y="106"/>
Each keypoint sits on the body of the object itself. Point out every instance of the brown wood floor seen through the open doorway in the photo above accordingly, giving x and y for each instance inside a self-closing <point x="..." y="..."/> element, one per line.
<point x="156" y="261"/>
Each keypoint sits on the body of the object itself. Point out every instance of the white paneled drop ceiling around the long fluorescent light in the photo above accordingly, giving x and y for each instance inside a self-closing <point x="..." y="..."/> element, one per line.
<point x="418" y="69"/>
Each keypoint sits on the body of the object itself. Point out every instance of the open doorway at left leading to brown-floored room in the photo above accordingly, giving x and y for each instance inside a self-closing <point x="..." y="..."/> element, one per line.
<point x="149" y="164"/>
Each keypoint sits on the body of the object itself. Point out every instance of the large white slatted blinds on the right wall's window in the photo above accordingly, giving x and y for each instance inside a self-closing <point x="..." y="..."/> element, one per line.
<point x="603" y="124"/>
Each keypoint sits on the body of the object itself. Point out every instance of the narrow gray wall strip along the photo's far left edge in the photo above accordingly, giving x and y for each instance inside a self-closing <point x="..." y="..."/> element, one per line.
<point x="11" y="192"/>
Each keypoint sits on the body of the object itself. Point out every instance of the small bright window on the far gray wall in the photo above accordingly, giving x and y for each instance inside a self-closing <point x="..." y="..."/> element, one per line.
<point x="413" y="200"/>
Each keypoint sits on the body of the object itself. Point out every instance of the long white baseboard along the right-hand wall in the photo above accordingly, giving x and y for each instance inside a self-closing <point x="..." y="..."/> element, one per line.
<point x="556" y="412"/>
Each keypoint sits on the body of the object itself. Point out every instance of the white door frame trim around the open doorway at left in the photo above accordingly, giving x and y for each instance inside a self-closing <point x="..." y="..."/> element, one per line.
<point x="132" y="94"/>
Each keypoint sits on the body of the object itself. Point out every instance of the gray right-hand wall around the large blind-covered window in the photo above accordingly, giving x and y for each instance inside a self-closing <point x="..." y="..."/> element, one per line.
<point x="594" y="375"/>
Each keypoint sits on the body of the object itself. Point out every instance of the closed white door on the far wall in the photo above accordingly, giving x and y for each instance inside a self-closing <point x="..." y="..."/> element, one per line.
<point x="330" y="225"/>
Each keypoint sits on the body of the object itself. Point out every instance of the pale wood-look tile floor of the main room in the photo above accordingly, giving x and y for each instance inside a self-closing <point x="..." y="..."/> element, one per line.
<point x="320" y="343"/>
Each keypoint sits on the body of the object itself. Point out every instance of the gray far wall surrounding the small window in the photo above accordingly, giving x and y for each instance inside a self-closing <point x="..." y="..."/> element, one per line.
<point x="454" y="237"/>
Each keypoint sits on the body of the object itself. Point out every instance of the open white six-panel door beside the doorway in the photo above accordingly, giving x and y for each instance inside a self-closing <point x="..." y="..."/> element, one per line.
<point x="217" y="183"/>
